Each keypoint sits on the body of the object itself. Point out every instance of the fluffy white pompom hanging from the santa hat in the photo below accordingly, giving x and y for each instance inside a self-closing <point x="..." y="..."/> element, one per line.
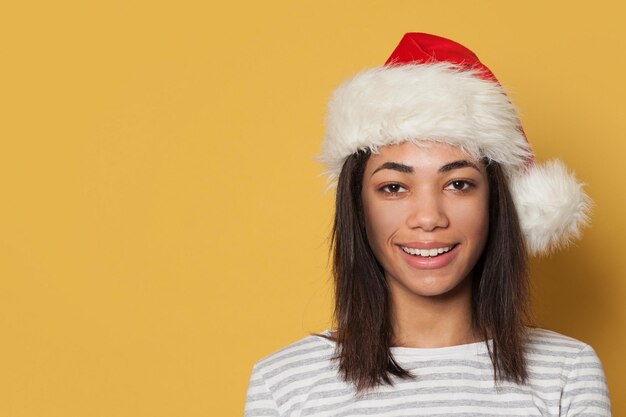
<point x="551" y="204"/>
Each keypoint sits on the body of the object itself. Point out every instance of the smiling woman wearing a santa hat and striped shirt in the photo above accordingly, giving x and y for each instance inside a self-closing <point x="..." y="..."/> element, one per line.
<point x="438" y="201"/>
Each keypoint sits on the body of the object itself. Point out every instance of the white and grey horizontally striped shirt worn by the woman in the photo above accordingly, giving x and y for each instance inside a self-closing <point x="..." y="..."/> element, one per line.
<point x="565" y="379"/>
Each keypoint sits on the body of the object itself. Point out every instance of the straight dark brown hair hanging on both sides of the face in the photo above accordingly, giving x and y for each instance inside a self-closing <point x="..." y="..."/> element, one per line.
<point x="500" y="300"/>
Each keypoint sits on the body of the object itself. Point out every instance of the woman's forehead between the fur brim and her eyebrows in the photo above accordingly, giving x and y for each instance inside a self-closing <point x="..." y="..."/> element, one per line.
<point x="424" y="155"/>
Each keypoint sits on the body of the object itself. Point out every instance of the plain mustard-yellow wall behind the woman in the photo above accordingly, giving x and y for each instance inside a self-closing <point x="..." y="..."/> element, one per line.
<point x="163" y="224"/>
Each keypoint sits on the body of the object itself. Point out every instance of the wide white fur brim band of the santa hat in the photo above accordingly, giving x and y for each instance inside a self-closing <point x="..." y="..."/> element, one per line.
<point x="436" y="102"/>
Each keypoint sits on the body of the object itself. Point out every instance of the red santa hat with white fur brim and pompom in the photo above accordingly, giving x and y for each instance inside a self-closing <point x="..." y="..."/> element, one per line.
<point x="434" y="89"/>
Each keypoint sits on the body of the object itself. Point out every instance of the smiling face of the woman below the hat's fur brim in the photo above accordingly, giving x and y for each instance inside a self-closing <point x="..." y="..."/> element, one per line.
<point x="426" y="216"/>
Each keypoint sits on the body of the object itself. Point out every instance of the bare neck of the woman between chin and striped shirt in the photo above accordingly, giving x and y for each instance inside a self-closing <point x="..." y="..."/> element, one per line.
<point x="432" y="321"/>
